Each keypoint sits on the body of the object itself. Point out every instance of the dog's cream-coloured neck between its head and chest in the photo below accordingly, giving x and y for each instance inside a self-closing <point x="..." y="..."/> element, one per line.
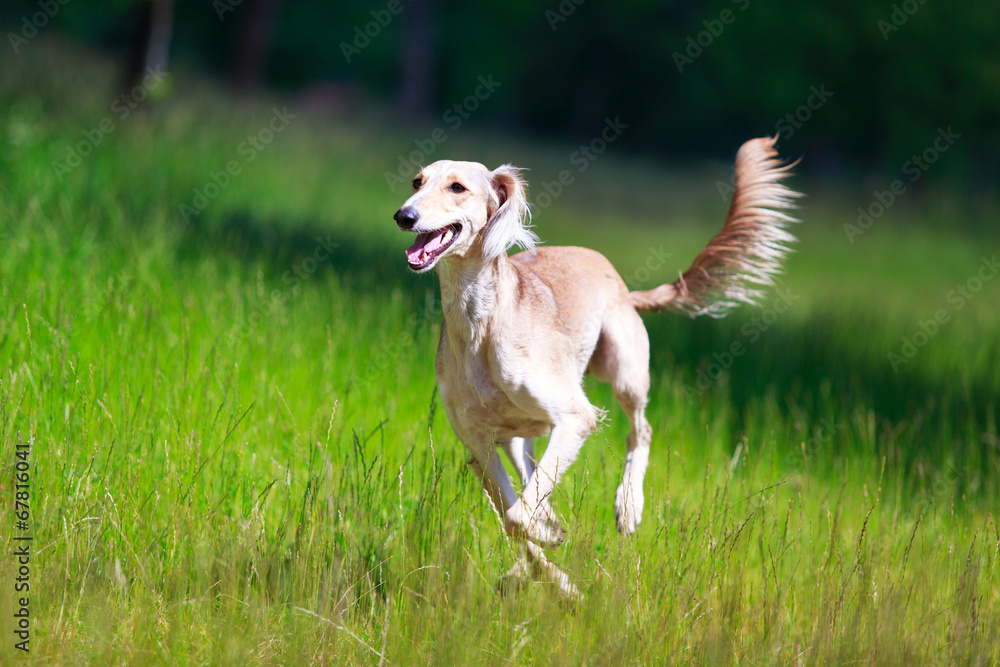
<point x="470" y="293"/>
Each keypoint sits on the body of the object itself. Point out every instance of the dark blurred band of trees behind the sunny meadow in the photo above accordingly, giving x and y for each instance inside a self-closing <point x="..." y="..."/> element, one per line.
<point x="689" y="77"/>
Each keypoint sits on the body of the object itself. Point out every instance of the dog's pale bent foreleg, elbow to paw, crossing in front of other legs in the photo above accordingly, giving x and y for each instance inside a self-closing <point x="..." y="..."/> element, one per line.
<point x="532" y="517"/>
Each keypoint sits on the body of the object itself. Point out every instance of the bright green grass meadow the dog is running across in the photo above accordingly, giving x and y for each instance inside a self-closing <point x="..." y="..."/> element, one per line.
<point x="238" y="456"/>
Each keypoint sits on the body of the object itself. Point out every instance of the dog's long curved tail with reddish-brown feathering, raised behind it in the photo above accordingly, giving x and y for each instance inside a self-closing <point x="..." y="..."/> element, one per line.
<point x="745" y="256"/>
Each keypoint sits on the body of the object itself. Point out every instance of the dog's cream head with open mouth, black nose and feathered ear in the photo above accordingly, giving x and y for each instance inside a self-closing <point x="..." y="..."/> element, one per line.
<point x="464" y="210"/>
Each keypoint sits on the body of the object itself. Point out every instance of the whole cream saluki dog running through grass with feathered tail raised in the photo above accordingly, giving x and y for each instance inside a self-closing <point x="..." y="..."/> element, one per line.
<point x="521" y="331"/>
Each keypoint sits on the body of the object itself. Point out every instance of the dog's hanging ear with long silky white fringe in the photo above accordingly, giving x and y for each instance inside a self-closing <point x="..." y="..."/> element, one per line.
<point x="509" y="221"/>
